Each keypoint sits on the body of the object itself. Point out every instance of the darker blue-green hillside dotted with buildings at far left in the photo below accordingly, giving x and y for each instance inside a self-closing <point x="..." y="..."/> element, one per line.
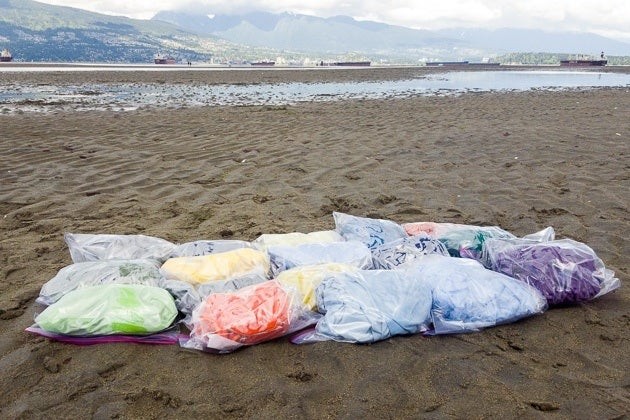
<point x="35" y="31"/>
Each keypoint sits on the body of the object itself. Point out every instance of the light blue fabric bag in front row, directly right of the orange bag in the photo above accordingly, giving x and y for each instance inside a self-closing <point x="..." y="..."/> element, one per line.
<point x="369" y="306"/>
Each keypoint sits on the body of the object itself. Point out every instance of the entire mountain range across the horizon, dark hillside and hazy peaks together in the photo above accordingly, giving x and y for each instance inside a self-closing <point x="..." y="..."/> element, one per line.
<point x="40" y="32"/>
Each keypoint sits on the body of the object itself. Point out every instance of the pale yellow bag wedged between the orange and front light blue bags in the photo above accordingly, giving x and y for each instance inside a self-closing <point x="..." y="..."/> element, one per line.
<point x="305" y="279"/>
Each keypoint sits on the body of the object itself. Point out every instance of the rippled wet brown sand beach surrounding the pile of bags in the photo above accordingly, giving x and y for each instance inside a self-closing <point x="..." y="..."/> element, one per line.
<point x="521" y="161"/>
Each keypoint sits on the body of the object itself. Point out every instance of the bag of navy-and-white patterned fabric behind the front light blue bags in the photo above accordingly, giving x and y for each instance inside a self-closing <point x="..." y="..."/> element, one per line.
<point x="404" y="251"/>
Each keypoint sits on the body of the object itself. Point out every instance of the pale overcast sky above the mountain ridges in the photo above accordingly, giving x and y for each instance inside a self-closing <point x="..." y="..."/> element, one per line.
<point x="605" y="17"/>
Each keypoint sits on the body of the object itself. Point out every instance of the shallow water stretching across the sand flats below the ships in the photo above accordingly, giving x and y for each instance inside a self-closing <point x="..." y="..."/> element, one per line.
<point x="127" y="96"/>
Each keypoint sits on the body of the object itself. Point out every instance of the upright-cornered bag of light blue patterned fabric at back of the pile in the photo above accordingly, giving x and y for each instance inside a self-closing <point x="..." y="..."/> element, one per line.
<point x="372" y="232"/>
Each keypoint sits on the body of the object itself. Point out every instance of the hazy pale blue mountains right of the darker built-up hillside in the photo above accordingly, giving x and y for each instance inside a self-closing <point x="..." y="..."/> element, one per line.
<point x="338" y="34"/>
